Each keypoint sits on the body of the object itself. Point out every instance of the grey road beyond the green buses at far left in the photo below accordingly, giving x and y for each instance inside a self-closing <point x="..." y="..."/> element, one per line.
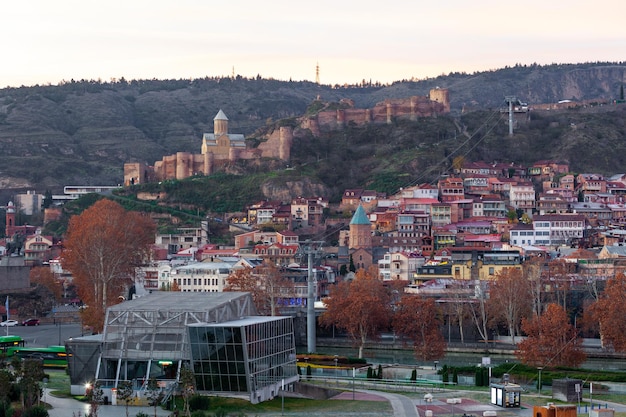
<point x="45" y="334"/>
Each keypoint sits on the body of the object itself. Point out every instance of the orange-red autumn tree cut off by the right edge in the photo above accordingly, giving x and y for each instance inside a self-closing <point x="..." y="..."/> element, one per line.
<point x="610" y="312"/>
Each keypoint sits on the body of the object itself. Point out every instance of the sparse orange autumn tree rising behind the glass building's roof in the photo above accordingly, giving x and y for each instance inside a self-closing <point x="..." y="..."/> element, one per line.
<point x="268" y="287"/>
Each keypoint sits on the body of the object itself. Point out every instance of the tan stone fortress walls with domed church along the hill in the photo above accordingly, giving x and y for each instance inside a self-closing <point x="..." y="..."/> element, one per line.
<point x="221" y="148"/>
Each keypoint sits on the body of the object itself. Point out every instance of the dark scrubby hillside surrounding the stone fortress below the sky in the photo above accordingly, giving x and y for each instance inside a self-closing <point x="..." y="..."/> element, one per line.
<point x="82" y="132"/>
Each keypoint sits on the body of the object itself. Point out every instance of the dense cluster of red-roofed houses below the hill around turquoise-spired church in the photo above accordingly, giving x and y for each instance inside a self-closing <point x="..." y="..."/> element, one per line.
<point x="469" y="226"/>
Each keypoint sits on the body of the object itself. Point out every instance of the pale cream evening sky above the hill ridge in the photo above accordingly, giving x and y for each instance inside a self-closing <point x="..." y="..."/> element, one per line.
<point x="48" y="42"/>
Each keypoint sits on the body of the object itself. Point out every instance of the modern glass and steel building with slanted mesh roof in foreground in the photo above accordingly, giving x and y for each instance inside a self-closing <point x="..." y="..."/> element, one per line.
<point x="217" y="335"/>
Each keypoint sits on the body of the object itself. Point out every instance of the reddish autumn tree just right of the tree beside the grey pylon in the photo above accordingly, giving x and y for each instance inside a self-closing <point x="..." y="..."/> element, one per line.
<point x="419" y="319"/>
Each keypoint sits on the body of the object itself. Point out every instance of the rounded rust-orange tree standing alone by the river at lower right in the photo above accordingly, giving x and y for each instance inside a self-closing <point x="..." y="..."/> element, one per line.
<point x="551" y="340"/>
